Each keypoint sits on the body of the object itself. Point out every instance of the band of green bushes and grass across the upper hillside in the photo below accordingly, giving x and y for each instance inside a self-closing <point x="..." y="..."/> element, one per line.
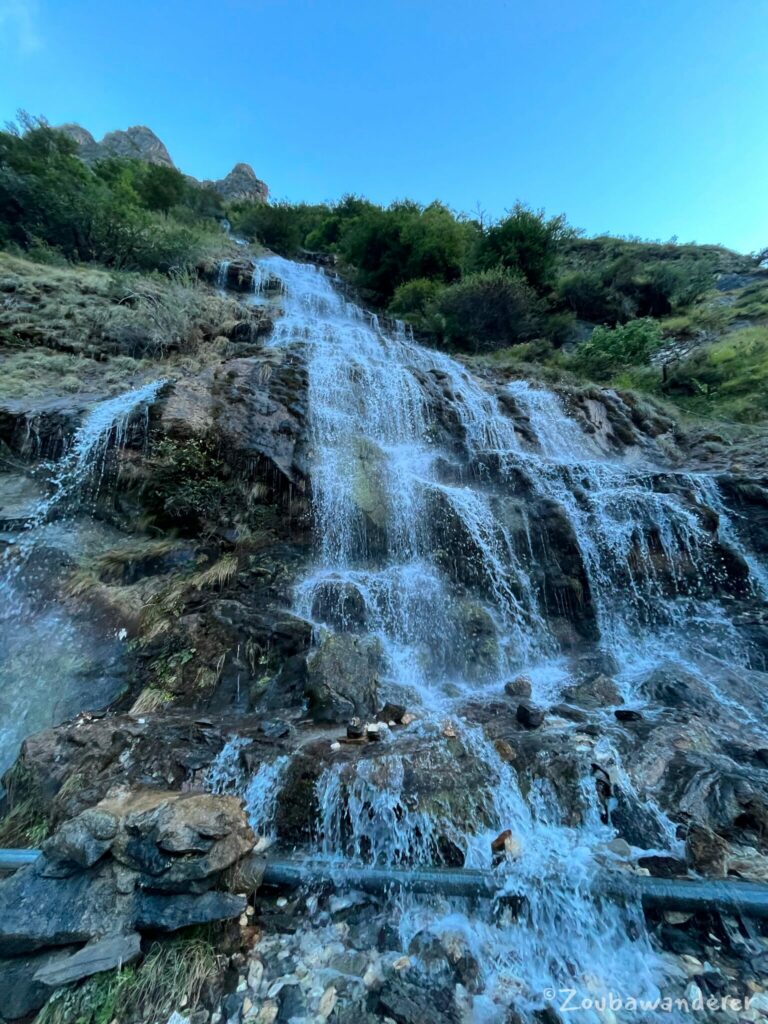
<point x="686" y="323"/>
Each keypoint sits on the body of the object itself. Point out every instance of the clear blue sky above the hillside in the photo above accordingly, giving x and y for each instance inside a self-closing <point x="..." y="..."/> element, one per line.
<point x="646" y="118"/>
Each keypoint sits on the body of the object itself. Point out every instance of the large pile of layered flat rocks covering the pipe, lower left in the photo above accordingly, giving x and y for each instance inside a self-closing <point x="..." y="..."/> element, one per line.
<point x="84" y="887"/>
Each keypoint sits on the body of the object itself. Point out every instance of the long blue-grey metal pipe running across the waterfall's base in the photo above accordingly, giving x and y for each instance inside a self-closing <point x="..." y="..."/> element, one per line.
<point x="692" y="895"/>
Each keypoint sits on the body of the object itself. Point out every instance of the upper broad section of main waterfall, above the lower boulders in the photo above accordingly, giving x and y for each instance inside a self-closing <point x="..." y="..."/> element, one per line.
<point x="396" y="500"/>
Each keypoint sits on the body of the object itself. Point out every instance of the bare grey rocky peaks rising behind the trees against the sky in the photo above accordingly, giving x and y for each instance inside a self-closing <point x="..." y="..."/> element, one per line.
<point x="141" y="143"/>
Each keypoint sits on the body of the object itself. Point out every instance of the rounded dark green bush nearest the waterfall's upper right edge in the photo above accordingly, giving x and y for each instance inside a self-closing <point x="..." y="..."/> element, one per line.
<point x="489" y="311"/>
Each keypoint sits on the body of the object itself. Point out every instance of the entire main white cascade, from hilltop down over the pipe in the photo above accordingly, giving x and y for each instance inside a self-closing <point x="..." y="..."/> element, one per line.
<point x="421" y="490"/>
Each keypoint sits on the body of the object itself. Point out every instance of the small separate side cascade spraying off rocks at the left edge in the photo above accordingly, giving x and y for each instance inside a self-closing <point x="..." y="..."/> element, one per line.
<point x="47" y="666"/>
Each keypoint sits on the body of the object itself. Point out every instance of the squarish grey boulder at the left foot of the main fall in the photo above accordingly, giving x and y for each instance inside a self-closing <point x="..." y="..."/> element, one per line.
<point x="343" y="678"/>
